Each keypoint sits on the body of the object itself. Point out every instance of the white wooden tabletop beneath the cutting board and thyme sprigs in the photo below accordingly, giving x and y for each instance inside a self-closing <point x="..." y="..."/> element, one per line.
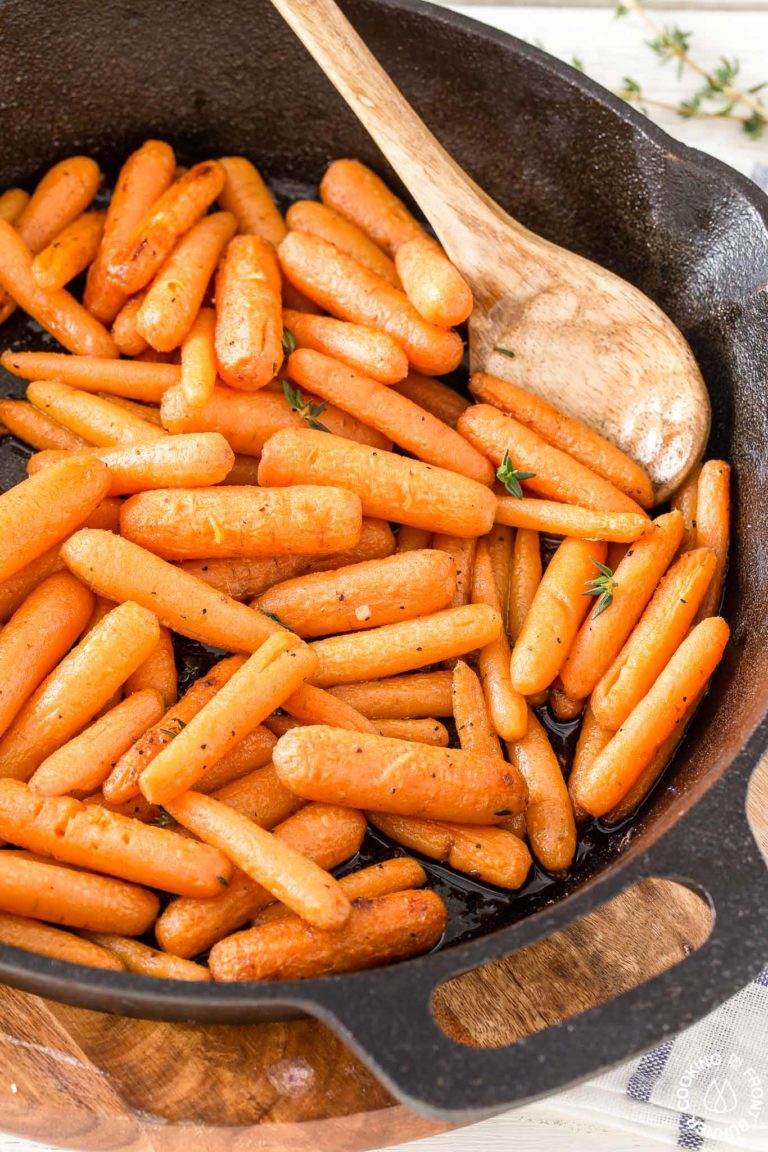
<point x="610" y="50"/>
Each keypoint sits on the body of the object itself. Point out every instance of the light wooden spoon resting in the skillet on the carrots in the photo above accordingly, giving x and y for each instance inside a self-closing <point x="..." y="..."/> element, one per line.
<point x="585" y="339"/>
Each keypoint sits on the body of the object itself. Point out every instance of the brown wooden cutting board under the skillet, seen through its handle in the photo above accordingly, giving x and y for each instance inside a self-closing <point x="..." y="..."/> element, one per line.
<point x="90" y="1081"/>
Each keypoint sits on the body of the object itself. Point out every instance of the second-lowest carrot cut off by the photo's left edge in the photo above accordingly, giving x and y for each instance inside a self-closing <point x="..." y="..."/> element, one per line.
<point x="78" y="900"/>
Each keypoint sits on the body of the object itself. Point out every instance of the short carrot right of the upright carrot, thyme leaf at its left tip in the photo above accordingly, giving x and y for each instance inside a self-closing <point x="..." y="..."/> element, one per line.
<point x="364" y="350"/>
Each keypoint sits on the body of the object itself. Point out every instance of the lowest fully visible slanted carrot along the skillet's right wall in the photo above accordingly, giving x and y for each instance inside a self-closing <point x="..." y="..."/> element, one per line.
<point x="653" y="721"/>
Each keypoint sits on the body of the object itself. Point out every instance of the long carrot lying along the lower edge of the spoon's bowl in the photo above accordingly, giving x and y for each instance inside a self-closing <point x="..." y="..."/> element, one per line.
<point x="569" y="435"/>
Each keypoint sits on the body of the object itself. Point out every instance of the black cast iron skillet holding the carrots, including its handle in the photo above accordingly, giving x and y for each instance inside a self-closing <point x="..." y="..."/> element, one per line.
<point x="584" y="170"/>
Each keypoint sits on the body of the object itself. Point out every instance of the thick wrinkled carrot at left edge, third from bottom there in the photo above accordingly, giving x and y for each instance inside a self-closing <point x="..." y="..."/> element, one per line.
<point x="93" y="838"/>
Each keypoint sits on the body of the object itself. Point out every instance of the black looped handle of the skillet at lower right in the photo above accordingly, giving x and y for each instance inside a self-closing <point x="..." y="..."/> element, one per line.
<point x="390" y="1022"/>
